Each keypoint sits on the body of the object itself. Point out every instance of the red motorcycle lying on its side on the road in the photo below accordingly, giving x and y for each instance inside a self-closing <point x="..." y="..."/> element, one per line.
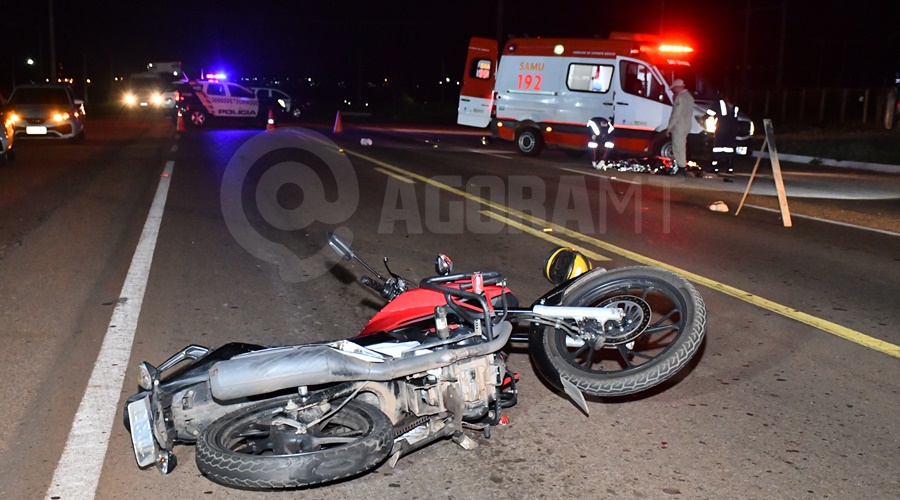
<point x="427" y="366"/>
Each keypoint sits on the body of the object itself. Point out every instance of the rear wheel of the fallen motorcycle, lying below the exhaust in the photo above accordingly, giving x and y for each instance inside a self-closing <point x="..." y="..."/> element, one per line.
<point x="246" y="450"/>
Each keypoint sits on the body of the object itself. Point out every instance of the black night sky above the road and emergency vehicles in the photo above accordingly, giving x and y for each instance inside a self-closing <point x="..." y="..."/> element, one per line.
<point x="830" y="42"/>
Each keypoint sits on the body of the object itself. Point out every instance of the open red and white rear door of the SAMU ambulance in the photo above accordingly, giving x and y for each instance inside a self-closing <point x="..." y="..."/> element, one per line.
<point x="476" y="96"/>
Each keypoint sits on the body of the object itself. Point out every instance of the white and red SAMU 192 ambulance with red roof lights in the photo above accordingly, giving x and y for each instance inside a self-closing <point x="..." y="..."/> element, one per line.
<point x="544" y="91"/>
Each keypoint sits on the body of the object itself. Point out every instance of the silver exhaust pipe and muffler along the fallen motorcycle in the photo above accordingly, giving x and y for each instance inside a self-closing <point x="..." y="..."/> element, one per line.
<point x="271" y="370"/>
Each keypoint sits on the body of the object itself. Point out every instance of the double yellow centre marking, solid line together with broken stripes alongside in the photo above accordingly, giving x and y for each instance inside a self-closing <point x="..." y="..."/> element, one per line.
<point x="551" y="228"/>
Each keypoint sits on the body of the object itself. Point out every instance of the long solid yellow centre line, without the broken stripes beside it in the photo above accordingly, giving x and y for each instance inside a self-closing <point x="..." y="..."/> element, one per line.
<point x="808" y="319"/>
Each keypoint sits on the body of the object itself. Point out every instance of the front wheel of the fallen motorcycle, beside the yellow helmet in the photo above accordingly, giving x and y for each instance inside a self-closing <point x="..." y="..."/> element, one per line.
<point x="668" y="323"/>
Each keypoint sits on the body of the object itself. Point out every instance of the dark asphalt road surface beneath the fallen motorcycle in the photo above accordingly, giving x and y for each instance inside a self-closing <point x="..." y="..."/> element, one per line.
<point x="795" y="394"/>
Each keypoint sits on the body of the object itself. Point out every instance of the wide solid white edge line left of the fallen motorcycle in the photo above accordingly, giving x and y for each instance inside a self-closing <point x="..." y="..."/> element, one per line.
<point x="78" y="472"/>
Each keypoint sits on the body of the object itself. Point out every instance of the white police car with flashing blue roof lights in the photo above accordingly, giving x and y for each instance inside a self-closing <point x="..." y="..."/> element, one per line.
<point x="200" y="100"/>
